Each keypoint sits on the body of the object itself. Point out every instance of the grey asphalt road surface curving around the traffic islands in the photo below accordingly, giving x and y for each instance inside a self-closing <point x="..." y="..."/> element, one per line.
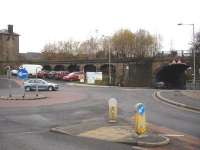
<point x="27" y="128"/>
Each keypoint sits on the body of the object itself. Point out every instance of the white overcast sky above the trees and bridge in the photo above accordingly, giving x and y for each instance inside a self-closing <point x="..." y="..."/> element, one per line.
<point x="42" y="21"/>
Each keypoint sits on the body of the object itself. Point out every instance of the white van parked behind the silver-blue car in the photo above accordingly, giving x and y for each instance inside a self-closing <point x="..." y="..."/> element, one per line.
<point x="32" y="69"/>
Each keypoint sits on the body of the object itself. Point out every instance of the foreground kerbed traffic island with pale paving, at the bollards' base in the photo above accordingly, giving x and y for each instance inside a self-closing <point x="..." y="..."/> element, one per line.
<point x="119" y="133"/>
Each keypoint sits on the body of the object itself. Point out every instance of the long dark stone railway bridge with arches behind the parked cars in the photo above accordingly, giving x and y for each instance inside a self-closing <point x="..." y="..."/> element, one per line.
<point x="129" y="71"/>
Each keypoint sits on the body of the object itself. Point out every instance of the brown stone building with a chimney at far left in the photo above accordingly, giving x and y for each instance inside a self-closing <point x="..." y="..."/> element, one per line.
<point x="9" y="44"/>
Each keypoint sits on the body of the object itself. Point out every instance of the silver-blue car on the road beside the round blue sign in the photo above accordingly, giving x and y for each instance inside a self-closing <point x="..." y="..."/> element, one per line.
<point x="32" y="84"/>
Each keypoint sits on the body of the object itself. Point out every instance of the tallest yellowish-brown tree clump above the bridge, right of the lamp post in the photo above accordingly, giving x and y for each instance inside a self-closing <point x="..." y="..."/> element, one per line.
<point x="139" y="44"/>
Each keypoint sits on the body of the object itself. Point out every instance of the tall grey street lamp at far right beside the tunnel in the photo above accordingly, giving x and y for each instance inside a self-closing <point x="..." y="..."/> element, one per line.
<point x="194" y="62"/>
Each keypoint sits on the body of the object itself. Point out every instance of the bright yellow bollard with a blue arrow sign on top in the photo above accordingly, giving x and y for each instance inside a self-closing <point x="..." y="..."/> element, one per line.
<point x="139" y="119"/>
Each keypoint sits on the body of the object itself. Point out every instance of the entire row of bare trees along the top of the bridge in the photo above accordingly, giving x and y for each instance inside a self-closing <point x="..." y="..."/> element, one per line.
<point x="123" y="44"/>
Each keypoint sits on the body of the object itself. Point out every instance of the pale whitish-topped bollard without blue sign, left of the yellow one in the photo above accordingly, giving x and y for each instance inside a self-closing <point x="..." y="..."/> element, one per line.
<point x="112" y="110"/>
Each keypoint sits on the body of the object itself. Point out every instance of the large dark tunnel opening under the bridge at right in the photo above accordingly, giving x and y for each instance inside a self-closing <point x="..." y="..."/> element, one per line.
<point x="172" y="75"/>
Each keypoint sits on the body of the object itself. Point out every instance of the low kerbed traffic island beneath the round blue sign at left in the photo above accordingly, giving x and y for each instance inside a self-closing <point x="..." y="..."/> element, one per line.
<point x="26" y="97"/>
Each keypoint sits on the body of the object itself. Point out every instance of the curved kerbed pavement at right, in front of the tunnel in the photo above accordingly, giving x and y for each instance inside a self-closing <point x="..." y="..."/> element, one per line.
<point x="189" y="99"/>
